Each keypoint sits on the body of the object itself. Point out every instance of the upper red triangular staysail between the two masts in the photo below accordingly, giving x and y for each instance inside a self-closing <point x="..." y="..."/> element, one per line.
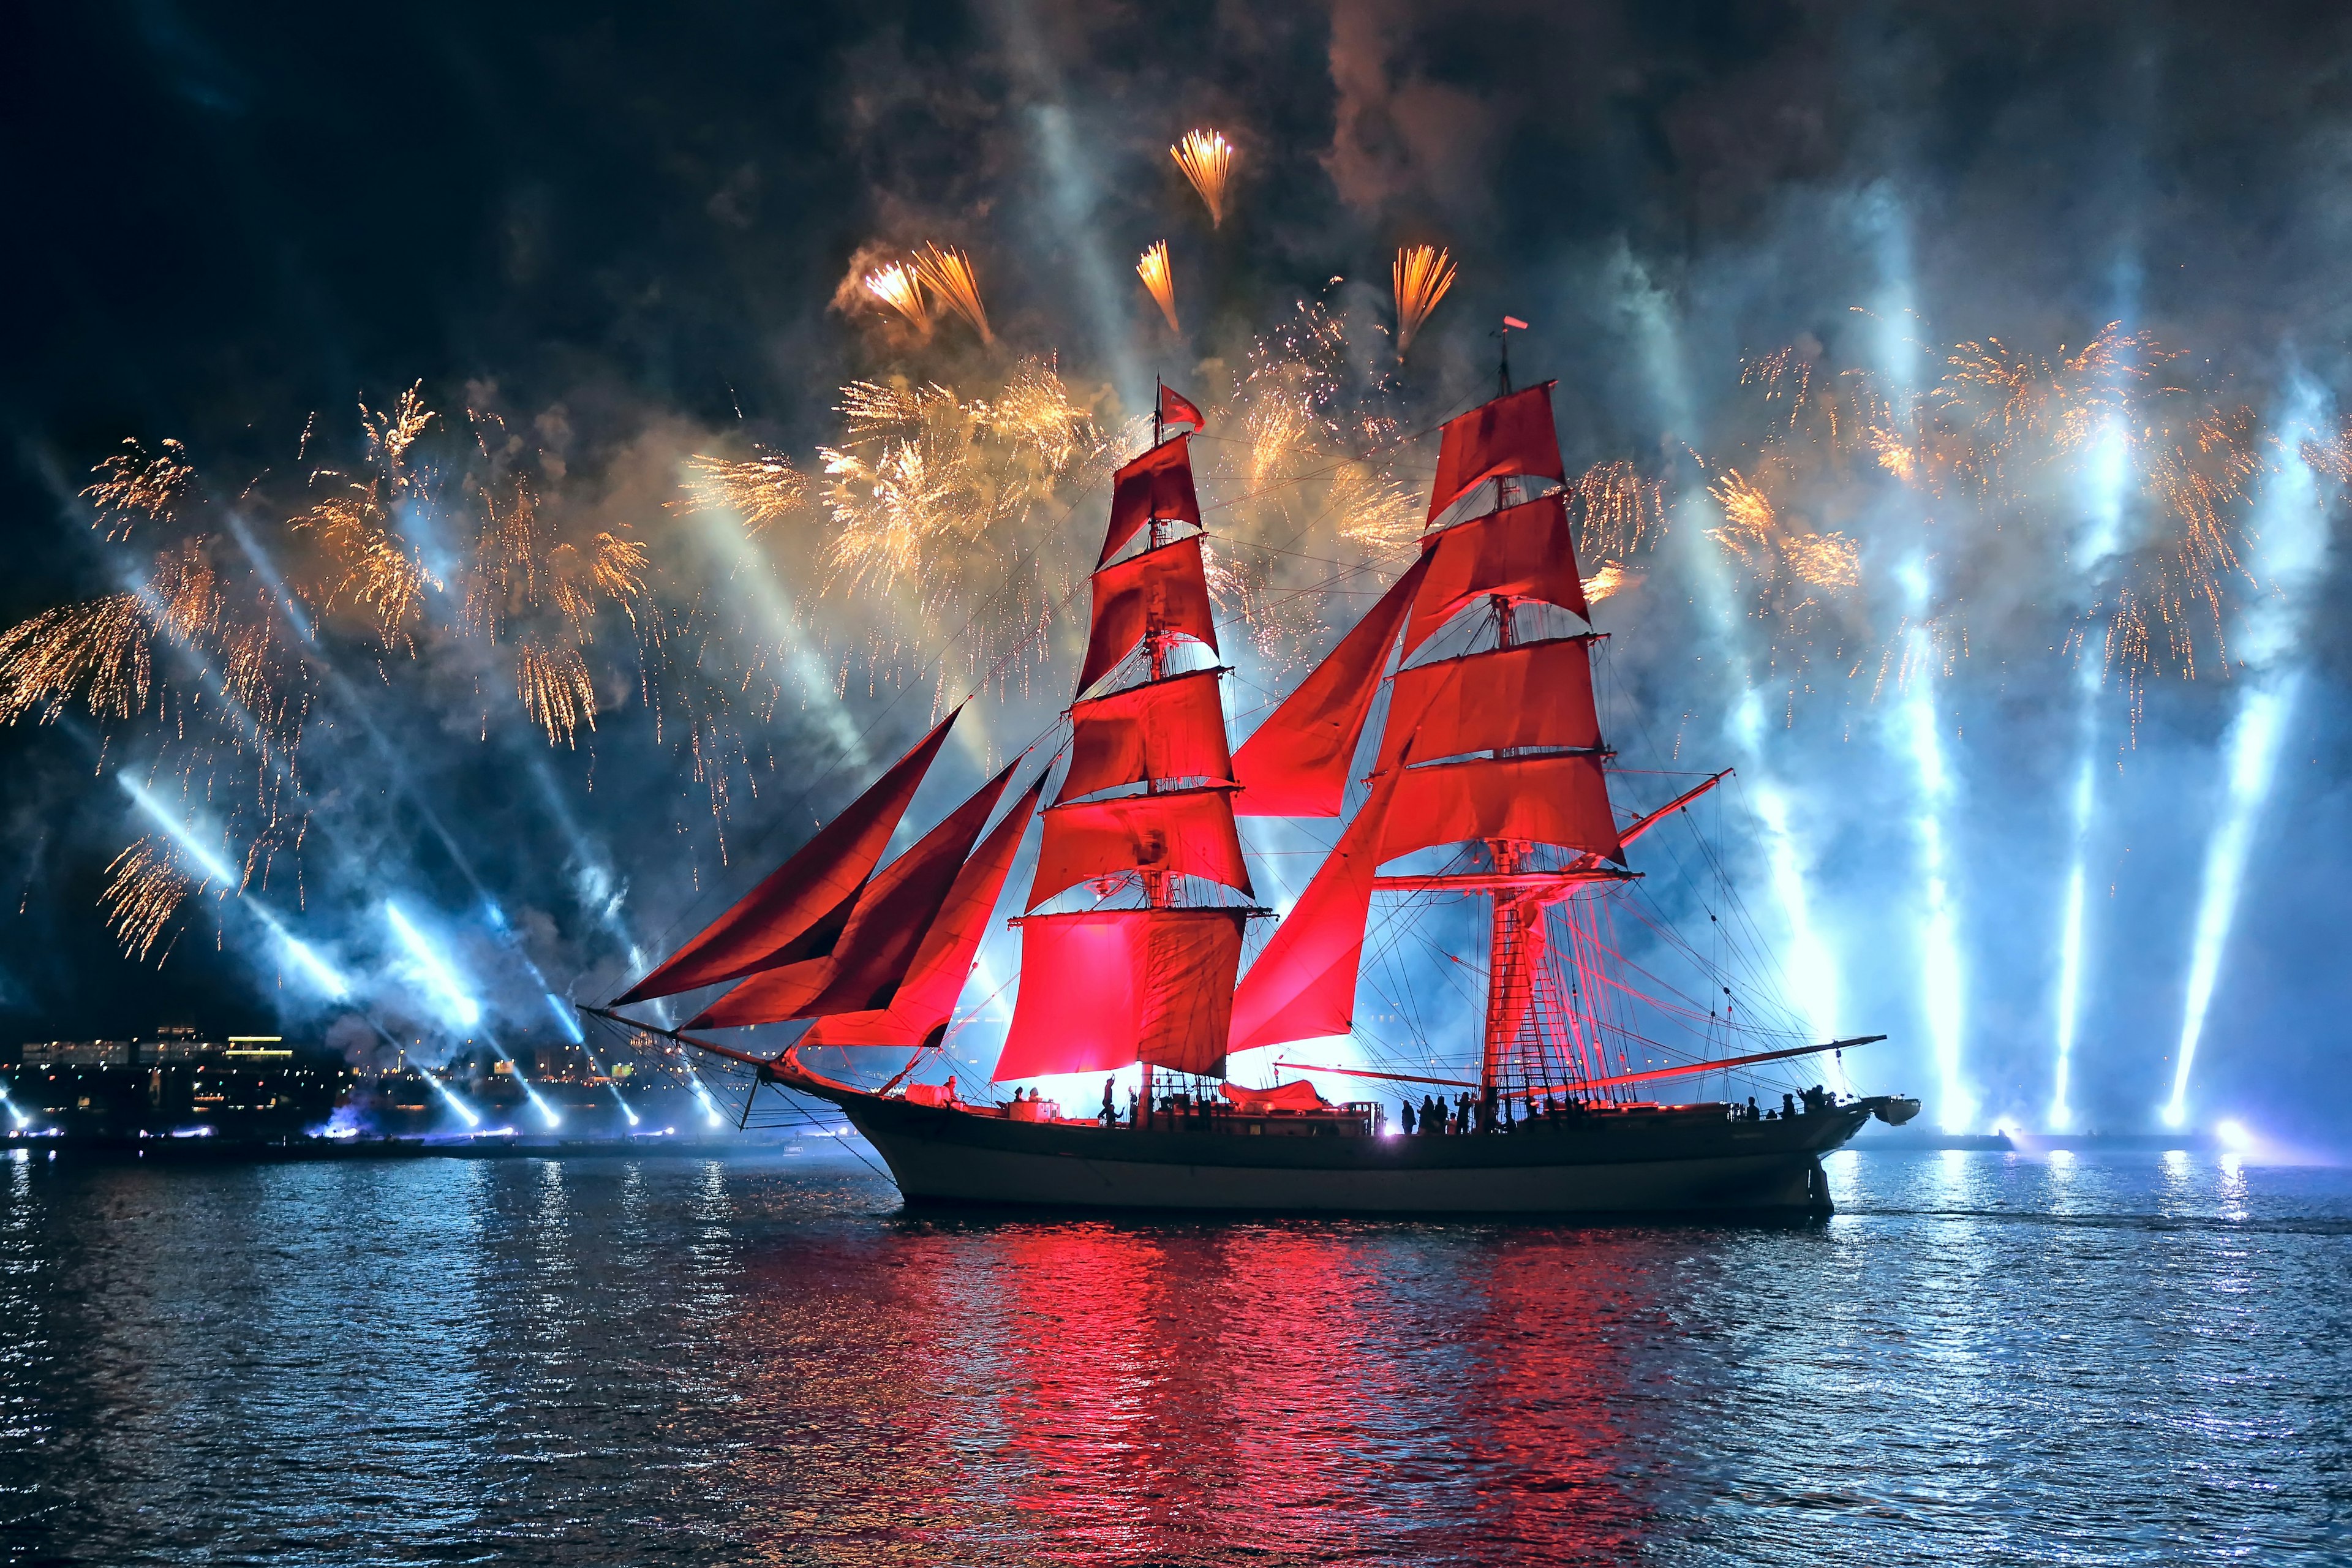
<point x="1297" y="760"/>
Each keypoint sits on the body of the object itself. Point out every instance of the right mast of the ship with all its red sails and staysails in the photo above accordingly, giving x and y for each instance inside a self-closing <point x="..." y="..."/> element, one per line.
<point x="1495" y="749"/>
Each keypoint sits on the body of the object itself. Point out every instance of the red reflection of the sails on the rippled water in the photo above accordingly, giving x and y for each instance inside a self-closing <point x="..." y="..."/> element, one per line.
<point x="1255" y="1393"/>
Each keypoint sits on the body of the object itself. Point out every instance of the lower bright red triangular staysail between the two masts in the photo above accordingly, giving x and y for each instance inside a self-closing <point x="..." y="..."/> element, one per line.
<point x="1304" y="984"/>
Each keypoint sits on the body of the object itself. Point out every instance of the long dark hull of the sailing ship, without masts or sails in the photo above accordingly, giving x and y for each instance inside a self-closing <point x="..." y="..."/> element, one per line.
<point x="1610" y="1165"/>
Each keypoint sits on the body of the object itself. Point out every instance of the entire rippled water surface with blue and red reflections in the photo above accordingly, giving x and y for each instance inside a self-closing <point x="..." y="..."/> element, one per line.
<point x="1982" y="1360"/>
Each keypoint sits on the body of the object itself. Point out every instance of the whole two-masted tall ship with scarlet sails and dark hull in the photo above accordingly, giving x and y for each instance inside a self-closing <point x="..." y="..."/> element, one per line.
<point x="1459" y="718"/>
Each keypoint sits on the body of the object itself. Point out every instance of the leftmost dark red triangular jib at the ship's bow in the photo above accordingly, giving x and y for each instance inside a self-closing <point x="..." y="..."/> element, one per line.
<point x="761" y="930"/>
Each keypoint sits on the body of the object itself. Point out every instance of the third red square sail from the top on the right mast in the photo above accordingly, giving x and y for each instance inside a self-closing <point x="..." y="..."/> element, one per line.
<point x="1530" y="695"/>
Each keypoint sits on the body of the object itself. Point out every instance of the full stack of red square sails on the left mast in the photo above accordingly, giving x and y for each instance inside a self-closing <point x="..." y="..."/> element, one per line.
<point x="1147" y="810"/>
